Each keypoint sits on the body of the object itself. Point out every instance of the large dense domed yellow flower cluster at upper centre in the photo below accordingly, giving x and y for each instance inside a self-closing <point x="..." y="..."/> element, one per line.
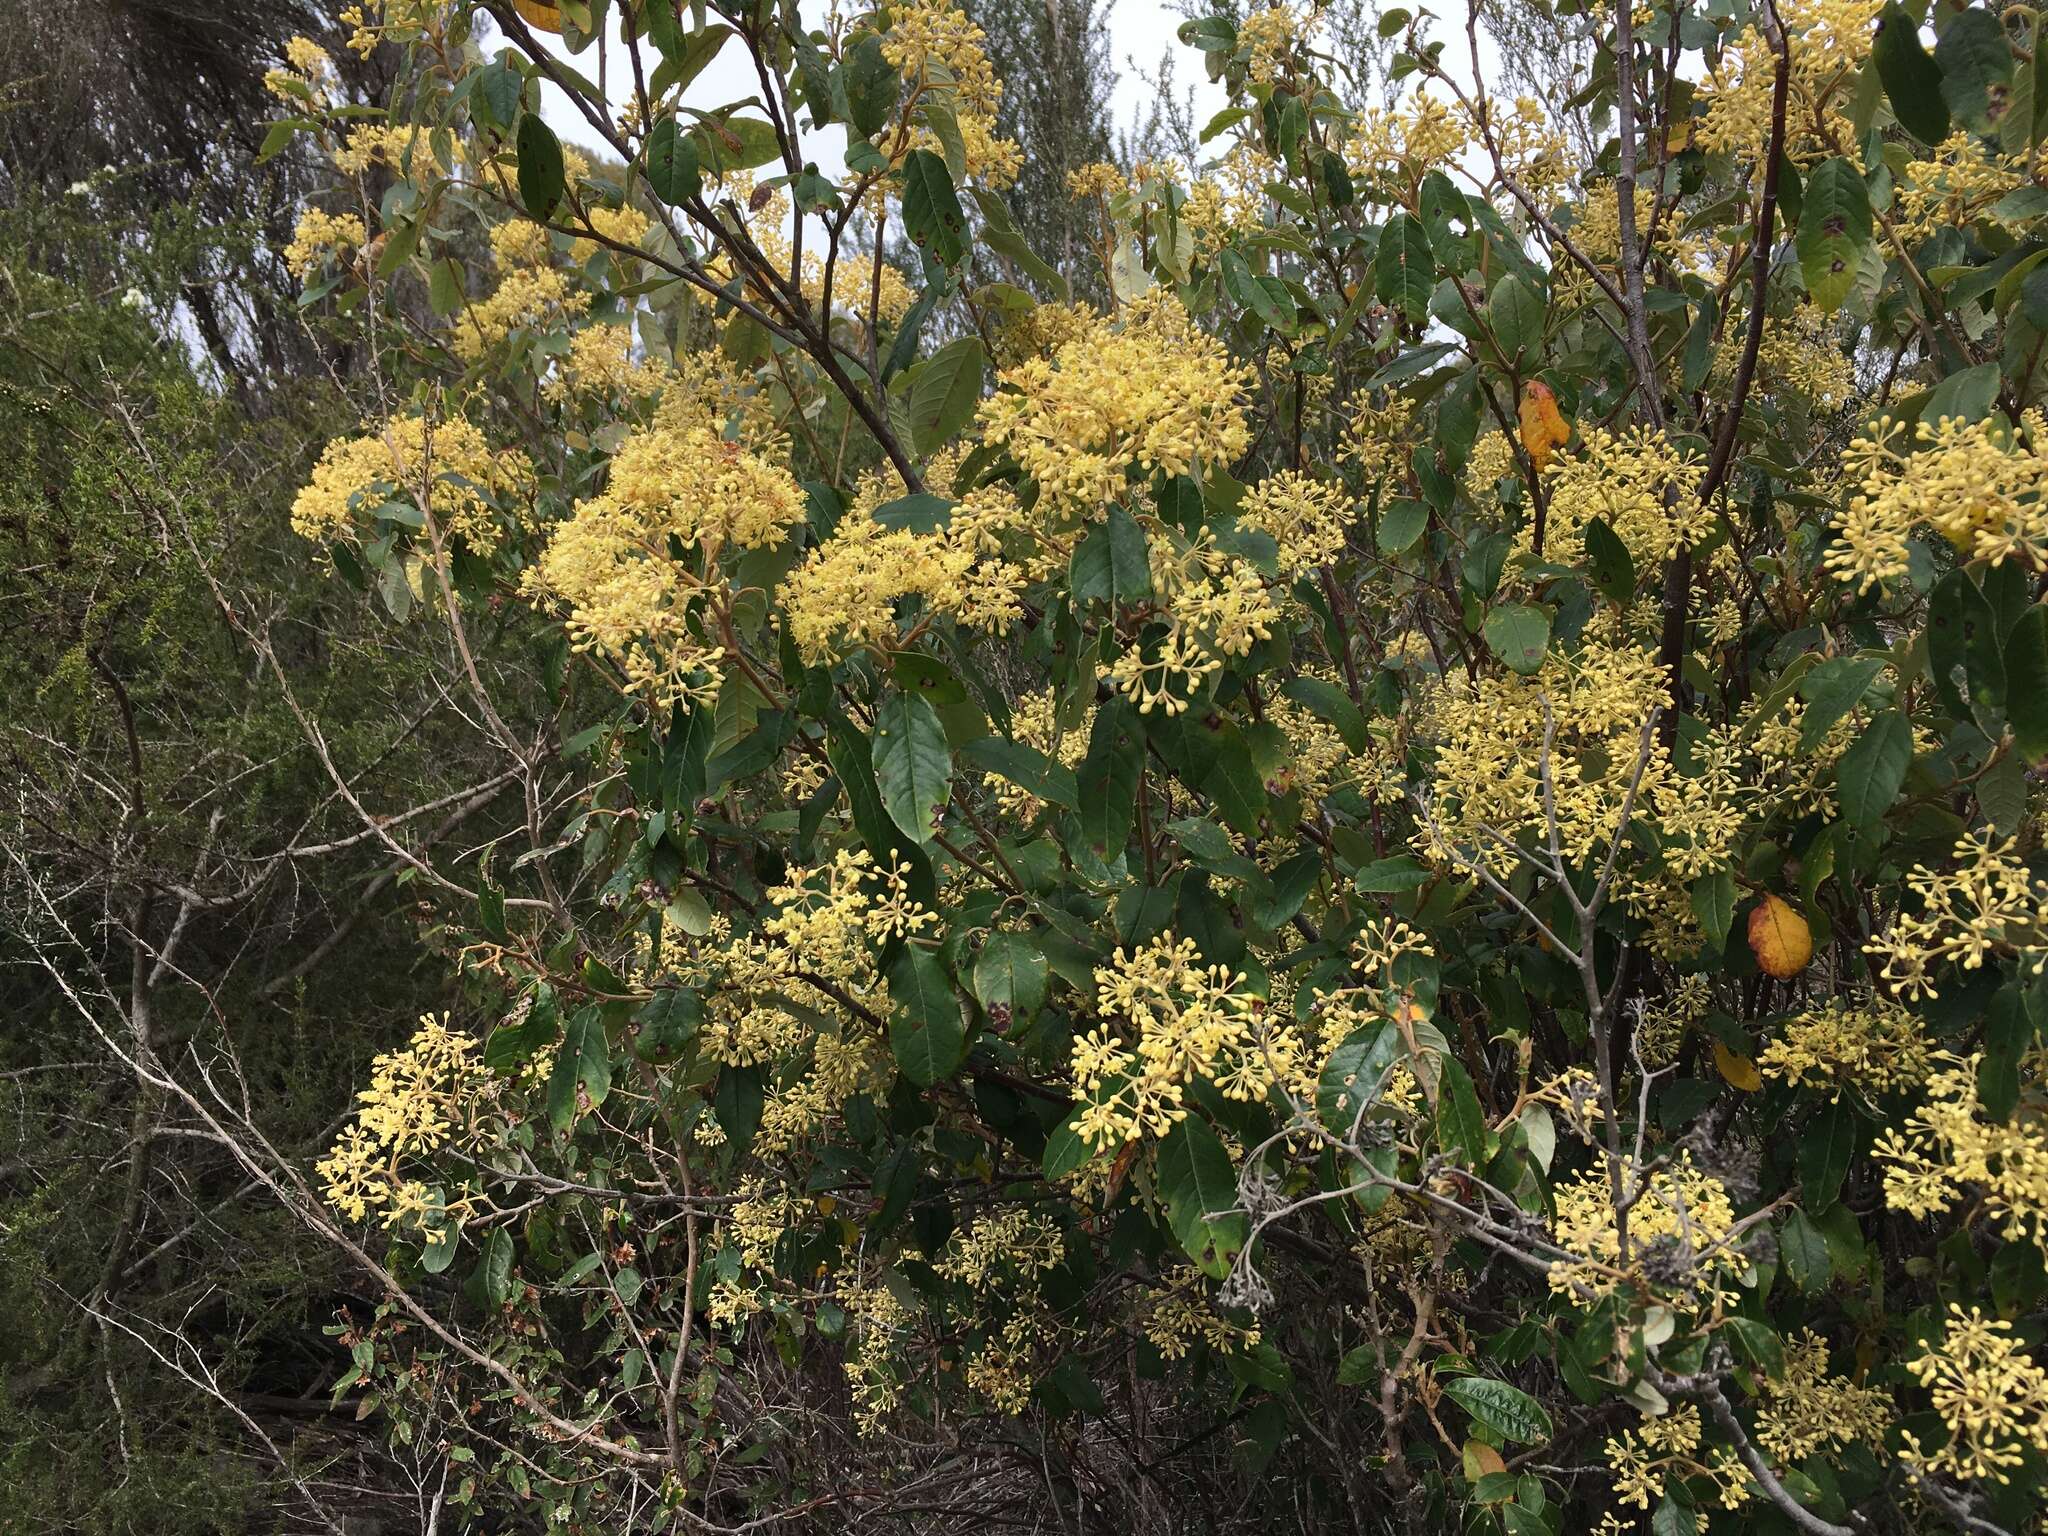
<point x="1144" y="388"/>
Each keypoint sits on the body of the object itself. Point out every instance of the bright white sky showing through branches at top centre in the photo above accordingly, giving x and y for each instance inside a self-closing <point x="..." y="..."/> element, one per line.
<point x="1140" y="30"/>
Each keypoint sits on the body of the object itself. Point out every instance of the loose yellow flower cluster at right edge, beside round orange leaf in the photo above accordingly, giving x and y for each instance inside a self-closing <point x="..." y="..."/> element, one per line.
<point x="1981" y="908"/>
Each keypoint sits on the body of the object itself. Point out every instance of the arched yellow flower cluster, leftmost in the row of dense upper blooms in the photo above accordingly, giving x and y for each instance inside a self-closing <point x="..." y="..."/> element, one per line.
<point x="441" y="468"/>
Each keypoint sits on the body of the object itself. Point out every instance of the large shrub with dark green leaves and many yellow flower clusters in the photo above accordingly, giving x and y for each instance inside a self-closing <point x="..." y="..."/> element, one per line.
<point x="1414" y="841"/>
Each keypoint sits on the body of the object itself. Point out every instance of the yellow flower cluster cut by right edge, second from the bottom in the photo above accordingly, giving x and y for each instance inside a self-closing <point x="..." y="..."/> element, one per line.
<point x="1953" y="1152"/>
